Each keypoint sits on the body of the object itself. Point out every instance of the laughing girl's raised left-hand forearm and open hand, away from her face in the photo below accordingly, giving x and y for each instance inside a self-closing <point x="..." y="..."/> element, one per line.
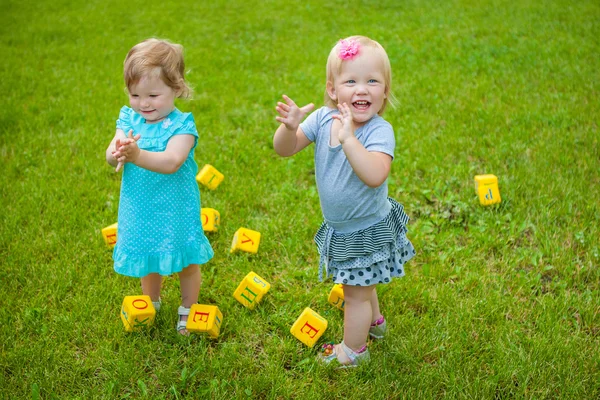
<point x="289" y="138"/>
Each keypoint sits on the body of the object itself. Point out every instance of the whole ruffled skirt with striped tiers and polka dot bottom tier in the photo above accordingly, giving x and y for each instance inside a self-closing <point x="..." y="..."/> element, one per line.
<point x="369" y="256"/>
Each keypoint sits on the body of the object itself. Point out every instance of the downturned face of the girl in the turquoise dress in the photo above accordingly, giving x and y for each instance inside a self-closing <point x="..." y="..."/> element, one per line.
<point x="152" y="98"/>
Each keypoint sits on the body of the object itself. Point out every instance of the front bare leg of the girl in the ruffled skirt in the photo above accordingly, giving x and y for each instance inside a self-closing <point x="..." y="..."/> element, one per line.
<point x="358" y="315"/>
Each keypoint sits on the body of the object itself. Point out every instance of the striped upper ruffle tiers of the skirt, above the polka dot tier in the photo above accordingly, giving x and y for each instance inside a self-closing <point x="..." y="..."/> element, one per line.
<point x="367" y="241"/>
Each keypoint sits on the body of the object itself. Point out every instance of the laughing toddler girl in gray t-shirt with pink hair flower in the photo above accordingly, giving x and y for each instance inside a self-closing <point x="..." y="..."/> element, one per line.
<point x="362" y="241"/>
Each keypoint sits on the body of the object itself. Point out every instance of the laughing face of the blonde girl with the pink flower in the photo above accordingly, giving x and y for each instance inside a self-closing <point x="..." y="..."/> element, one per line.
<point x="360" y="84"/>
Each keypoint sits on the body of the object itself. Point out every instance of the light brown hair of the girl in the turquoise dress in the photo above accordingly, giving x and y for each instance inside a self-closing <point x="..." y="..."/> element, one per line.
<point x="157" y="57"/>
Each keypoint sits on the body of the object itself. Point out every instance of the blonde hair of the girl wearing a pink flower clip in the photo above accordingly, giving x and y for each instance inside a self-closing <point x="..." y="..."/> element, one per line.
<point x="334" y="68"/>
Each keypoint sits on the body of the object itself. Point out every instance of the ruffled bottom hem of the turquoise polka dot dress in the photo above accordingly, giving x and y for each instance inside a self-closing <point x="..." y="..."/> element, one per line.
<point x="162" y="263"/>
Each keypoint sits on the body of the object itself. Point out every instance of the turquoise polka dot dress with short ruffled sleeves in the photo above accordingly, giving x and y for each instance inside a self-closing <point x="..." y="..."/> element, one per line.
<point x="159" y="227"/>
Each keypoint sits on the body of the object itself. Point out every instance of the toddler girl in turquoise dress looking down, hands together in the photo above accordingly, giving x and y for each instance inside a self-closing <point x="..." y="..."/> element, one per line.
<point x="159" y="231"/>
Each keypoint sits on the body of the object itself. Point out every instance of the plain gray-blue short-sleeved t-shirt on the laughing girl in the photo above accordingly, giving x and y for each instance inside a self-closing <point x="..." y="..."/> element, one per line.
<point x="348" y="204"/>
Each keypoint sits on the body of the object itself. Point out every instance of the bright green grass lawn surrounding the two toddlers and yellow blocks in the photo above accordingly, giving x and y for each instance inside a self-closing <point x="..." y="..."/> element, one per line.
<point x="500" y="302"/>
